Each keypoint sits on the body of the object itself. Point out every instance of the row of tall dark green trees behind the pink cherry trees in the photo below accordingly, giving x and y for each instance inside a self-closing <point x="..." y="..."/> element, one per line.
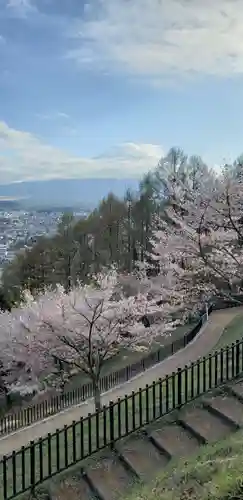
<point x="117" y="231"/>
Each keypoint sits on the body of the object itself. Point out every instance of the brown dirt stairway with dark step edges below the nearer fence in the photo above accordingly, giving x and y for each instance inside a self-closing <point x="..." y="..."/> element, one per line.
<point x="140" y="456"/>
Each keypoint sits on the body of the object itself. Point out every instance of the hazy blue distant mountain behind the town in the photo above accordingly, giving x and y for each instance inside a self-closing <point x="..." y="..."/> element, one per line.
<point x="85" y="193"/>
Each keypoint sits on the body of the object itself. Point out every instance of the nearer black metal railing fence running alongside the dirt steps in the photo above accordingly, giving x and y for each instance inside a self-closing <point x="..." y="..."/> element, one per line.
<point x="44" y="458"/>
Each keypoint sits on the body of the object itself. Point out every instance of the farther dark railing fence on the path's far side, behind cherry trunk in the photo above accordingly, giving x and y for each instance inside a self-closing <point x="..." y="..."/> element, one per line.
<point x="54" y="404"/>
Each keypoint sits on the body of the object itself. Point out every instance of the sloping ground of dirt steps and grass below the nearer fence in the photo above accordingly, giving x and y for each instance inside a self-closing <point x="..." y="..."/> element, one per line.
<point x="159" y="450"/>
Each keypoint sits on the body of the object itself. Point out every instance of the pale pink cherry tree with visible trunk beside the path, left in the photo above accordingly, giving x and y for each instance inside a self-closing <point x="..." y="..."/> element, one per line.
<point x="57" y="332"/>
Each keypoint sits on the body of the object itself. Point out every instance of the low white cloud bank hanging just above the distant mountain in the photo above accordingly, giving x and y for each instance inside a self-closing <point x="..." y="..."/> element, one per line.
<point x="25" y="157"/>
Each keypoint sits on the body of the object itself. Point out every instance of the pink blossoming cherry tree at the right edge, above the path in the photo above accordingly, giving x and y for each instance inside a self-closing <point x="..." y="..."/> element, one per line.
<point x="202" y="237"/>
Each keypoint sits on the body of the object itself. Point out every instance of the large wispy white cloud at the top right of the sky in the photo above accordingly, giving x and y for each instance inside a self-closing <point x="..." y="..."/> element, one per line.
<point x="157" y="38"/>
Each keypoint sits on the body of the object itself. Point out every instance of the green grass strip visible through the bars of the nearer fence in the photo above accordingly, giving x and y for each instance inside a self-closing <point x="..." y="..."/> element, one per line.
<point x="154" y="403"/>
